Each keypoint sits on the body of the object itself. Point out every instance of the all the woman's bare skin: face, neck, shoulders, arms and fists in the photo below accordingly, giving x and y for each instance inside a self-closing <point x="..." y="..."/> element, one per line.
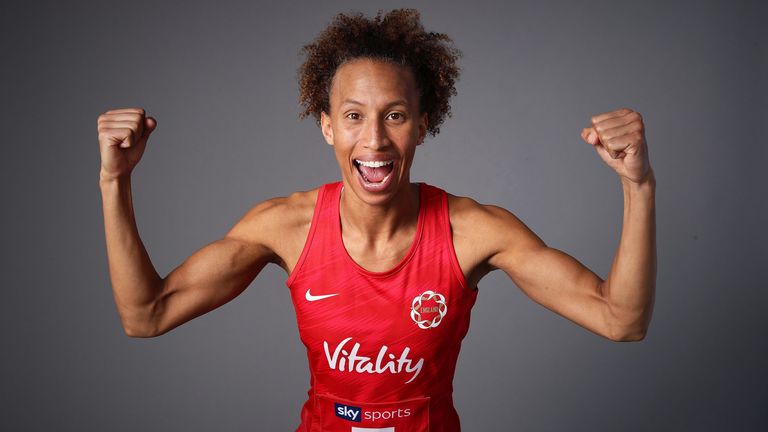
<point x="377" y="229"/>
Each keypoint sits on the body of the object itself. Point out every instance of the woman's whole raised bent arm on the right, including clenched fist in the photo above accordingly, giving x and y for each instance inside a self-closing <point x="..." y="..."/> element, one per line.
<point x="620" y="306"/>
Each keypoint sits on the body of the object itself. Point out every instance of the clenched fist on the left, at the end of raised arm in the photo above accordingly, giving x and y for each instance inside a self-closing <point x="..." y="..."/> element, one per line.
<point x="123" y="135"/>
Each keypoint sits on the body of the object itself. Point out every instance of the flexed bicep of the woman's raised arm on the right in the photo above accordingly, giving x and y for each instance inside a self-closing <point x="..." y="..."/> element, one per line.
<point x="550" y="277"/>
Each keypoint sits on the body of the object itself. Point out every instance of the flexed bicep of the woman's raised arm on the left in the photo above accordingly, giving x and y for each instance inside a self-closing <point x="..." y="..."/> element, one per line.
<point x="212" y="276"/>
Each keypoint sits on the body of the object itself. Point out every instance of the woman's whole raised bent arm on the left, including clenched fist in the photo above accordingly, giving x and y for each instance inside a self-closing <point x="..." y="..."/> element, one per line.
<point x="148" y="304"/>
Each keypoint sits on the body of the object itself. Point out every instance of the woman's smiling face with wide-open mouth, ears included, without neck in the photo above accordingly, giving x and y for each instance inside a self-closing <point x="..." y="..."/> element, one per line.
<point x="374" y="117"/>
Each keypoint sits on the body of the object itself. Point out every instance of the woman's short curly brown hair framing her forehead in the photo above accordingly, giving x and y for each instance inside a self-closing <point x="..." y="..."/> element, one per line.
<point x="397" y="36"/>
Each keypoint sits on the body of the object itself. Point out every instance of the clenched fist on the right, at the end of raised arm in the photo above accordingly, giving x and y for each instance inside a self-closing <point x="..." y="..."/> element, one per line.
<point x="619" y="138"/>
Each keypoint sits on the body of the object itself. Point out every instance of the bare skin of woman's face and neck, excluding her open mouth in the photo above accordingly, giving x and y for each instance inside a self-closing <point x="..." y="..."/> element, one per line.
<point x="375" y="111"/>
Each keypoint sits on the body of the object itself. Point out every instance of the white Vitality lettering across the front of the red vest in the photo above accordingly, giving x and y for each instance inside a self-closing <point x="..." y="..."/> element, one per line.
<point x="351" y="361"/>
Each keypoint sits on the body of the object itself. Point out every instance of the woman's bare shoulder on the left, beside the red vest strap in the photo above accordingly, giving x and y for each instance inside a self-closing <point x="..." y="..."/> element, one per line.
<point x="280" y="224"/>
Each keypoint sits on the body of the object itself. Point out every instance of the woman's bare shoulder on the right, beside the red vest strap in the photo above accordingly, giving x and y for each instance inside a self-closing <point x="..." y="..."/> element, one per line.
<point x="483" y="232"/>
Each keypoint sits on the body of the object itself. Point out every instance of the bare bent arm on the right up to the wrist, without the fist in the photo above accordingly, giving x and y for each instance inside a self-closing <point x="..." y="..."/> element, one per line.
<point x="619" y="307"/>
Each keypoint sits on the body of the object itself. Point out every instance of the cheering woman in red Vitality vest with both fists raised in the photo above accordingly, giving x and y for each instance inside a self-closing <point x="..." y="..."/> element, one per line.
<point x="382" y="272"/>
